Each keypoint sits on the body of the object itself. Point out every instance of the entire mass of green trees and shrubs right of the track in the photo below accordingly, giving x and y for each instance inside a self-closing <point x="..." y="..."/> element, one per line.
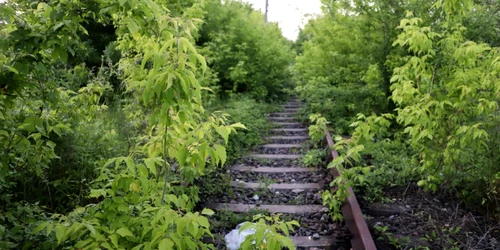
<point x="417" y="90"/>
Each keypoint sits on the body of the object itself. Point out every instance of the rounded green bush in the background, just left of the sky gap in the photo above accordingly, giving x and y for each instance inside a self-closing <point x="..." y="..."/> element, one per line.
<point x="248" y="55"/>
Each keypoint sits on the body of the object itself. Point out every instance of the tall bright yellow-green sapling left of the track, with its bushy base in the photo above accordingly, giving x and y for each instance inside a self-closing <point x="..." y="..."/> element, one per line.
<point x="179" y="141"/>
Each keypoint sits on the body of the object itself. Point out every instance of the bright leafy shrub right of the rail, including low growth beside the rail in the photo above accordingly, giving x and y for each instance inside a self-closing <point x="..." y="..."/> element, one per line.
<point x="445" y="91"/>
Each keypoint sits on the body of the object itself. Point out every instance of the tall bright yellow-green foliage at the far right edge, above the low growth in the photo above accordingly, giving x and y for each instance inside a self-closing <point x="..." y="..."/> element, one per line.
<point x="447" y="104"/>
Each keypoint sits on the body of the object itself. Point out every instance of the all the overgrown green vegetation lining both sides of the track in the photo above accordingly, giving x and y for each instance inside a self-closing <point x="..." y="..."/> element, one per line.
<point x="112" y="113"/>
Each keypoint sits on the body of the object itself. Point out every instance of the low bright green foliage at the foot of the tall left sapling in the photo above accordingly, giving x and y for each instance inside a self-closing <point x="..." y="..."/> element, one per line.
<point x="133" y="214"/>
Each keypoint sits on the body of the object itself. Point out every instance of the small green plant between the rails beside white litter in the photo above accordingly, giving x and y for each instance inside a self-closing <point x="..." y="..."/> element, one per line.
<point x="270" y="233"/>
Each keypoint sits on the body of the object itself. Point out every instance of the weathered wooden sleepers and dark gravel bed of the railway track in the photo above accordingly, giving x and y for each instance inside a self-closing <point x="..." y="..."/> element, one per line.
<point x="272" y="180"/>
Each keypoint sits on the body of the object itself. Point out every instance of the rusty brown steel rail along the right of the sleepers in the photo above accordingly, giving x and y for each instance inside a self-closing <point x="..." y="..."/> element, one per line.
<point x="353" y="217"/>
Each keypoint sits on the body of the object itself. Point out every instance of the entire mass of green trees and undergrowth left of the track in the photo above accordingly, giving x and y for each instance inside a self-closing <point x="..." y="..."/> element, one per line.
<point x="107" y="121"/>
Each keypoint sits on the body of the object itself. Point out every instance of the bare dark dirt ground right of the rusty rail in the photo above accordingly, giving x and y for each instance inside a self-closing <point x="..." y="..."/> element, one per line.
<point x="414" y="219"/>
